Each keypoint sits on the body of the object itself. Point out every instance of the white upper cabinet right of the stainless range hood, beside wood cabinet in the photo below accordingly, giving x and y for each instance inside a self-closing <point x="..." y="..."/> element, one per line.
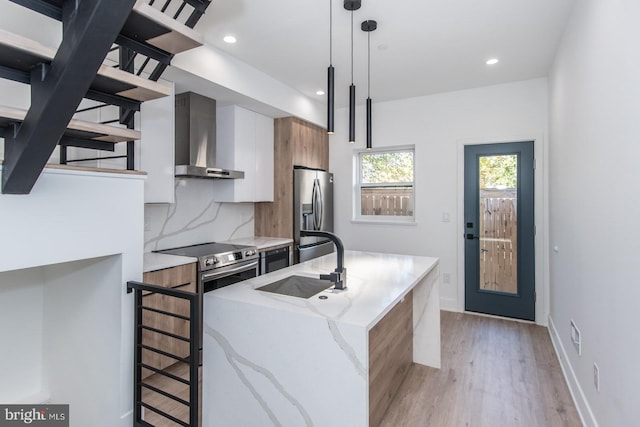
<point x="245" y="143"/>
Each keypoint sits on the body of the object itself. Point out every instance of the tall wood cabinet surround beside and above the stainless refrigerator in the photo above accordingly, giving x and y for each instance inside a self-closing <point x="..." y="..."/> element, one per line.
<point x="296" y="143"/>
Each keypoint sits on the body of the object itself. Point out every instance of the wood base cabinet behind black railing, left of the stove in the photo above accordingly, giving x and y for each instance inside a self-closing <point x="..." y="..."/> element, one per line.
<point x="182" y="277"/>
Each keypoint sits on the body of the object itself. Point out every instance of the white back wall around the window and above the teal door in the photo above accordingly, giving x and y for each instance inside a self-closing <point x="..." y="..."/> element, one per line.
<point x="437" y="125"/>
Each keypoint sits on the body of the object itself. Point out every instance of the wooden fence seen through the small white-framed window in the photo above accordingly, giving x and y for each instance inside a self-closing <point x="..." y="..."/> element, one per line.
<point x="387" y="201"/>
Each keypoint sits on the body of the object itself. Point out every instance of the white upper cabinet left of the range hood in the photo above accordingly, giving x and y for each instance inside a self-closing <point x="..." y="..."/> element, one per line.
<point x="157" y="148"/>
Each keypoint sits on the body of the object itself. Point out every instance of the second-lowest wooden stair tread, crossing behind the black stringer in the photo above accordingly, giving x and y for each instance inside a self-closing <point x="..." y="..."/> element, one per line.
<point x="21" y="53"/>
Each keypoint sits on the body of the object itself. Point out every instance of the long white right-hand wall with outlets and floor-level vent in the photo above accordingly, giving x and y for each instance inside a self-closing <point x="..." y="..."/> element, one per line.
<point x="594" y="206"/>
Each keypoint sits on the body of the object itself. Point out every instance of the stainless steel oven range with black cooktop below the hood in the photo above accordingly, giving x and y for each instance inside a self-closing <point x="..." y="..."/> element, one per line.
<point x="219" y="265"/>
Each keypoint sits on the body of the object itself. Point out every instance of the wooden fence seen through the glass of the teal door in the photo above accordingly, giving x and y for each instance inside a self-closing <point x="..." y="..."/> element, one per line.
<point x="498" y="240"/>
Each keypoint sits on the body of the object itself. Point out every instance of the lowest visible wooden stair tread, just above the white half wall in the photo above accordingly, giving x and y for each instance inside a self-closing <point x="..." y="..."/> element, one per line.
<point x="76" y="128"/>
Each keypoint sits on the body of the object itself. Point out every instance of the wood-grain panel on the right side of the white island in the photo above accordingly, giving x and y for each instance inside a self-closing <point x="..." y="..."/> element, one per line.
<point x="390" y="357"/>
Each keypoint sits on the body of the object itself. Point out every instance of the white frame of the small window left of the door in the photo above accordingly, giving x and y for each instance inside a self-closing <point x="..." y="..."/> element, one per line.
<point x="358" y="185"/>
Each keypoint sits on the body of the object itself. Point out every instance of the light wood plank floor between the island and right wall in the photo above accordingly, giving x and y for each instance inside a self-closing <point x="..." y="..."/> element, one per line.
<point x="494" y="373"/>
